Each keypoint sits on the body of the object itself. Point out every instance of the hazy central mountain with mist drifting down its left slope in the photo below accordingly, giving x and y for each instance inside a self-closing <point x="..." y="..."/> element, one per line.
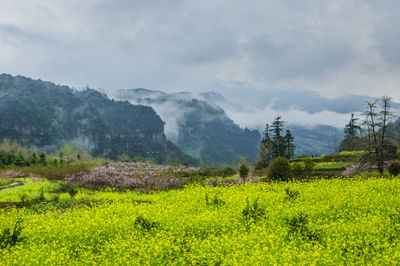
<point x="198" y="126"/>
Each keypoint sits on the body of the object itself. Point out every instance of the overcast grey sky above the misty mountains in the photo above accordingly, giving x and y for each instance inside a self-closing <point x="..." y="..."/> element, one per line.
<point x="332" y="47"/>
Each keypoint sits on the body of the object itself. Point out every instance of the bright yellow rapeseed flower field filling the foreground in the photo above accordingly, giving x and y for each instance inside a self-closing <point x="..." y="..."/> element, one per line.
<point x="334" y="221"/>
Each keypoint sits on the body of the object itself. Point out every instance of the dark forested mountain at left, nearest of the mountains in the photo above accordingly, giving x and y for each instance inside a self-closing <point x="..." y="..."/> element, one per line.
<point x="34" y="112"/>
